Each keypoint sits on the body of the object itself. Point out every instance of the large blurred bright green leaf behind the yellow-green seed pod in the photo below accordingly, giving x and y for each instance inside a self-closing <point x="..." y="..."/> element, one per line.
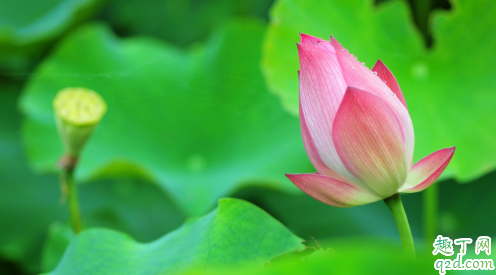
<point x="200" y="122"/>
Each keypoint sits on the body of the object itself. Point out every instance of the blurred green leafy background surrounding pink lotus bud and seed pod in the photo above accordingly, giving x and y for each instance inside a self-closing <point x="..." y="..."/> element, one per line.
<point x="202" y="105"/>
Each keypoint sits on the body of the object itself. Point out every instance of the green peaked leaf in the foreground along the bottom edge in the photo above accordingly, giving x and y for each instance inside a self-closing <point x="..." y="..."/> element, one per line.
<point x="235" y="233"/>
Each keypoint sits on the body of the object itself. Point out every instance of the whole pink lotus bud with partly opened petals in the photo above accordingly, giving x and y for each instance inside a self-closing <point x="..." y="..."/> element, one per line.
<point x="356" y="130"/>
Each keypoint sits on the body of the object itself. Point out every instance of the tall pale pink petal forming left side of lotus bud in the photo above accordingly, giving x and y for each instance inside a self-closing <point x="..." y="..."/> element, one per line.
<point x="321" y="91"/>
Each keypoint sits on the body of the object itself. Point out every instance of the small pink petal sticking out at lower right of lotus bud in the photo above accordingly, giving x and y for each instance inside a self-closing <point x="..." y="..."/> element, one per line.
<point x="427" y="170"/>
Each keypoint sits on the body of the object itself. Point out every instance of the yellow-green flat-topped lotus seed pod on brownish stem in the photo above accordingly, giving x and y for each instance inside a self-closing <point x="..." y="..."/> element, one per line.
<point x="77" y="112"/>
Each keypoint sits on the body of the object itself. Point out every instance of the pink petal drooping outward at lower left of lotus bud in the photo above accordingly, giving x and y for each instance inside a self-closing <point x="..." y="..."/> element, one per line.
<point x="331" y="191"/>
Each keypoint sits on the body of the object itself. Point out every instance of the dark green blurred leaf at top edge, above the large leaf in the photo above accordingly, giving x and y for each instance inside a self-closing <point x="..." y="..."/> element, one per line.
<point x="179" y="22"/>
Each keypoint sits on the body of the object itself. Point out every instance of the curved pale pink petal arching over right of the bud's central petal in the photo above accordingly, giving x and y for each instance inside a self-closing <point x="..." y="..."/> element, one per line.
<point x="358" y="76"/>
